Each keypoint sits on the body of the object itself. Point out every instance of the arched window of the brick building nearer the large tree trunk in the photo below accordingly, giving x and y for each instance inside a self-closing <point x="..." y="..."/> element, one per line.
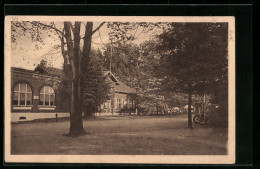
<point x="47" y="96"/>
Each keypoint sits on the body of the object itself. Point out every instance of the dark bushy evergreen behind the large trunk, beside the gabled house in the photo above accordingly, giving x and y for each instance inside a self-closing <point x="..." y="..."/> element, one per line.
<point x="95" y="86"/>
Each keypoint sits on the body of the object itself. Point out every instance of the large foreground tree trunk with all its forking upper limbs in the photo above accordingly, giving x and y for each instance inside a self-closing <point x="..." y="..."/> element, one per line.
<point x="77" y="64"/>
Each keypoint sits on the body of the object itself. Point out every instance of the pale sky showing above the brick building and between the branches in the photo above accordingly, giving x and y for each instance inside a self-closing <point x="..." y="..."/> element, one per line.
<point x="28" y="54"/>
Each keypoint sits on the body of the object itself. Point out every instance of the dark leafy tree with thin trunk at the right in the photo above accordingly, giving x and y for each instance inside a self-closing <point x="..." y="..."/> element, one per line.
<point x="193" y="58"/>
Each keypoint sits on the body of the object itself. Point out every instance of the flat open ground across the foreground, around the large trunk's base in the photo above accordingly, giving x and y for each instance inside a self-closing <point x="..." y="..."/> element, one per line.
<point x="128" y="135"/>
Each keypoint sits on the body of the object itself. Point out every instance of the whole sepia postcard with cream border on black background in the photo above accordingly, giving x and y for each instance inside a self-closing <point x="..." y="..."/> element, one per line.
<point x="92" y="89"/>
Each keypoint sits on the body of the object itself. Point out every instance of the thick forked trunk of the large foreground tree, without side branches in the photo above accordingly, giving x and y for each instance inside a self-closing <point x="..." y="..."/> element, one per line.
<point x="81" y="63"/>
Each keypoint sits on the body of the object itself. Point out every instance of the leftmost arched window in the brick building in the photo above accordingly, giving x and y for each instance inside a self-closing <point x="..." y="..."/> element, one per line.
<point x="22" y="95"/>
